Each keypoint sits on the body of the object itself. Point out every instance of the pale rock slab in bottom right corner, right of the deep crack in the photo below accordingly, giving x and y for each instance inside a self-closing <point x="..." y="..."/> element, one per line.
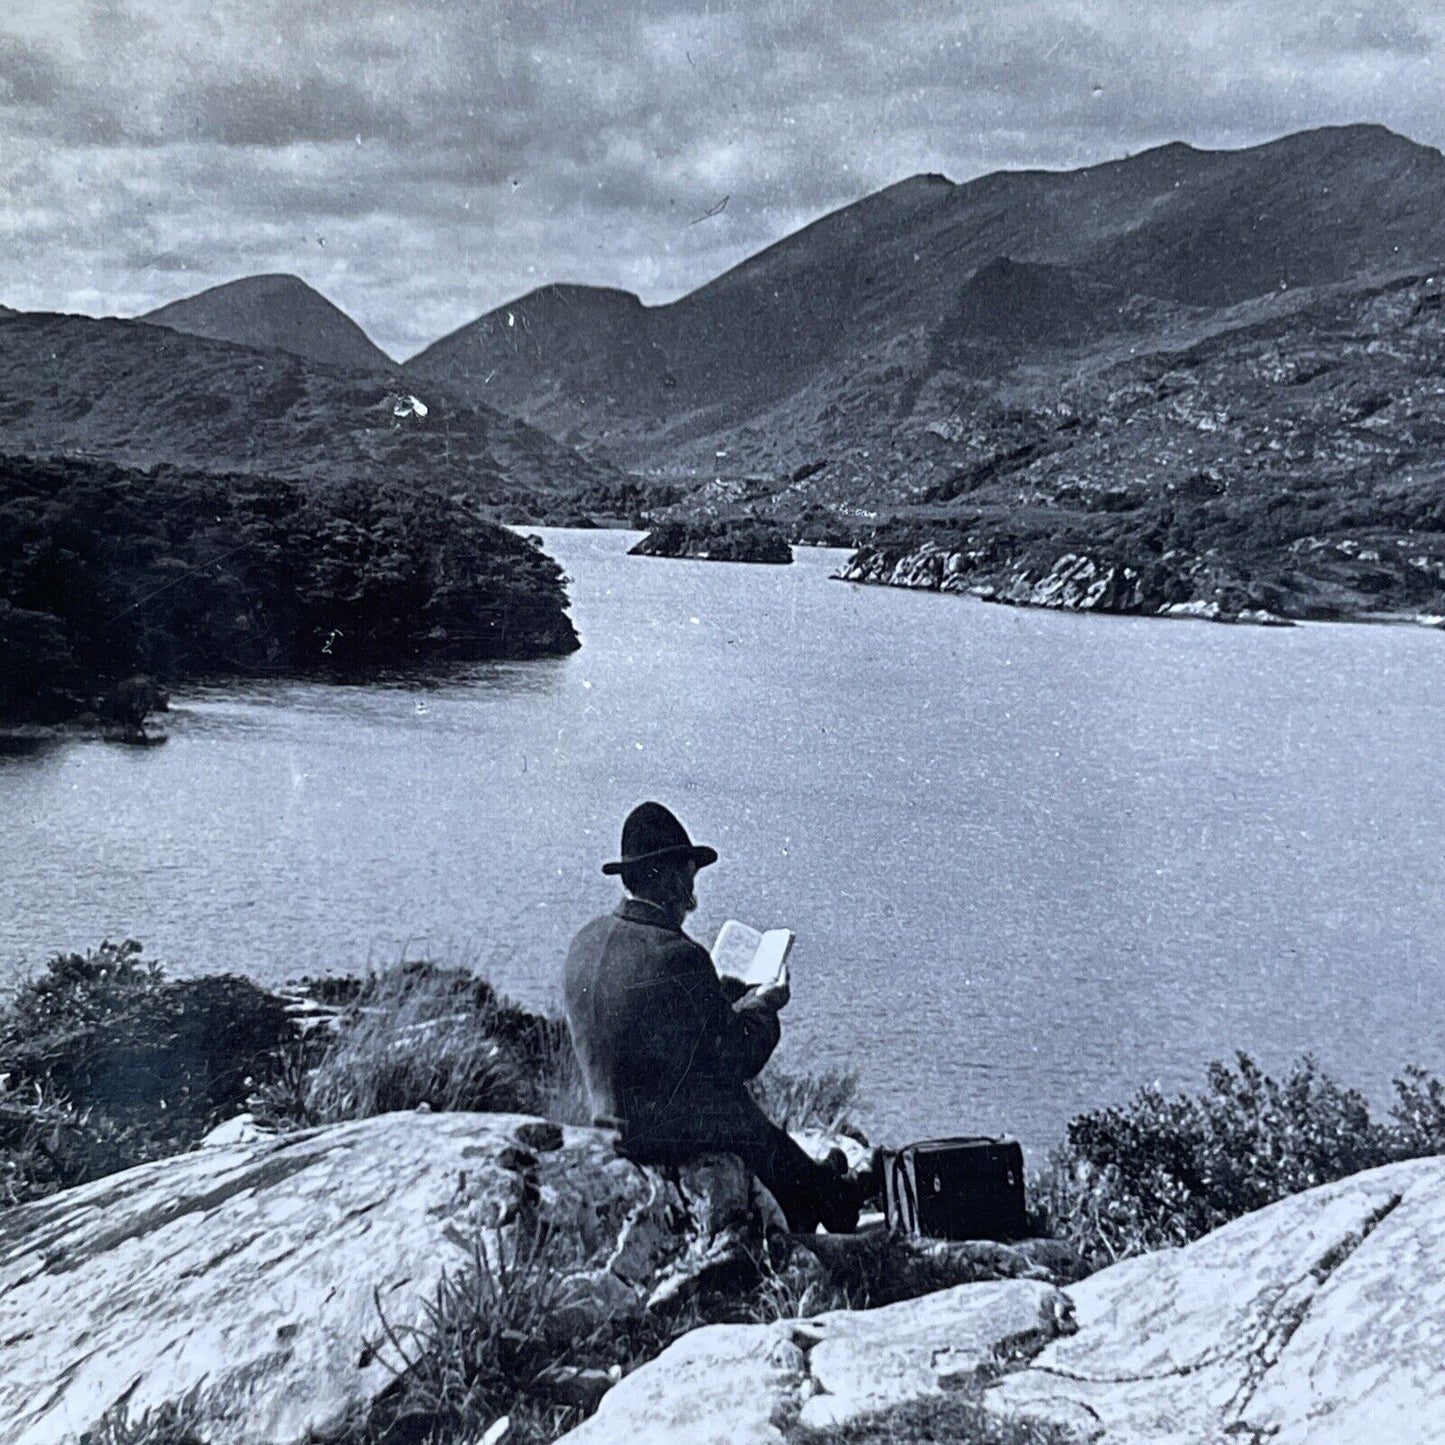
<point x="1320" y="1320"/>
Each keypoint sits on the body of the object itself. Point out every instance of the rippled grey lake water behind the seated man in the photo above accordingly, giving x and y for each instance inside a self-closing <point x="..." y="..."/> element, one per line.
<point x="1034" y="860"/>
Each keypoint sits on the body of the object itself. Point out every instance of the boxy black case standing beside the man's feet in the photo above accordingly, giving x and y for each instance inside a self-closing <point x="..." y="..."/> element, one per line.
<point x="957" y="1190"/>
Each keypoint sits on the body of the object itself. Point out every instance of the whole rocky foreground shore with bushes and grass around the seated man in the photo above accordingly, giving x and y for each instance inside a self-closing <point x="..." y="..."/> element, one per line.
<point x="365" y="1212"/>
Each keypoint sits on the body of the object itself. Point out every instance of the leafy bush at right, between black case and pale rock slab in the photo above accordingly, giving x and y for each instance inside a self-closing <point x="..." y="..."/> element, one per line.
<point x="1161" y="1171"/>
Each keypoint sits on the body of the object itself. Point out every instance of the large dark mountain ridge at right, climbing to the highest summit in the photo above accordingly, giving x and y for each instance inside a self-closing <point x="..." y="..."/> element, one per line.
<point x="930" y="277"/>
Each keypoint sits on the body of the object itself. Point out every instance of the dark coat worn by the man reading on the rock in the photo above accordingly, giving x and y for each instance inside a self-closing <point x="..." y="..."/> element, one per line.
<point x="663" y="1050"/>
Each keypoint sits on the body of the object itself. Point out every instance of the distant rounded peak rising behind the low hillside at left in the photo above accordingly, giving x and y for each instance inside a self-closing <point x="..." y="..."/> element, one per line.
<point x="275" y="313"/>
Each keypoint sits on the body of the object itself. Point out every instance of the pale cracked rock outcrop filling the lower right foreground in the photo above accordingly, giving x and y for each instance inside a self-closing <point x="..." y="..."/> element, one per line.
<point x="1320" y="1320"/>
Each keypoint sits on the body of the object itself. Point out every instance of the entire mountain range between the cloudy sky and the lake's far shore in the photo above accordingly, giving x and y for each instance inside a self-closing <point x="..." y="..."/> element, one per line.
<point x="1256" y="333"/>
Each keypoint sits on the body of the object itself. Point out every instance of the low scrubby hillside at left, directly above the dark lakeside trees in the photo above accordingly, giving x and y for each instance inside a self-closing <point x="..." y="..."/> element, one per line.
<point x="142" y="395"/>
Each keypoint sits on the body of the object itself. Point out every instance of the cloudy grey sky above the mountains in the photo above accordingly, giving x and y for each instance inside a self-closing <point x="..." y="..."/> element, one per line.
<point x="423" y="161"/>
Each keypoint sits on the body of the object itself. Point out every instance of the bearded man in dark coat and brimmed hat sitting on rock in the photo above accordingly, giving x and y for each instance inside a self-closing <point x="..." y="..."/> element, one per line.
<point x="667" y="1047"/>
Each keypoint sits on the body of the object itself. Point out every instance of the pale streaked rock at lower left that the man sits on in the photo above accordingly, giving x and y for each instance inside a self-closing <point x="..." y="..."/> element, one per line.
<point x="258" y="1274"/>
